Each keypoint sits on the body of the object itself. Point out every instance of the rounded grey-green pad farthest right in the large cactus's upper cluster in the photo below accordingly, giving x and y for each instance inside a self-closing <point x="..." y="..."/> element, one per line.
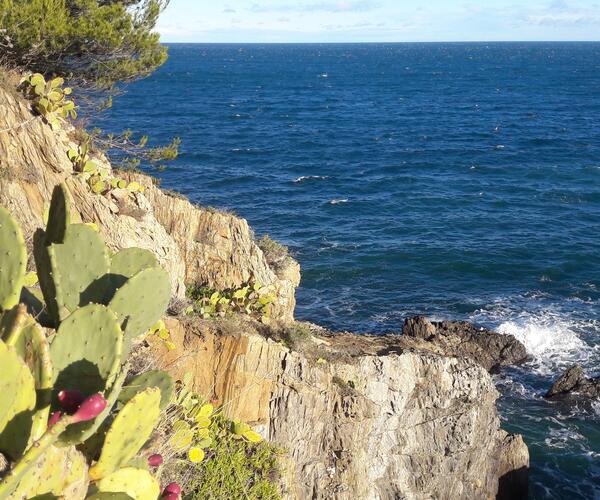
<point x="141" y="301"/>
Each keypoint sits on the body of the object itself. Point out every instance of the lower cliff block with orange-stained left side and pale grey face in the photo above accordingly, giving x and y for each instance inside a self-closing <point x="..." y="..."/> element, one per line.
<point x="359" y="416"/>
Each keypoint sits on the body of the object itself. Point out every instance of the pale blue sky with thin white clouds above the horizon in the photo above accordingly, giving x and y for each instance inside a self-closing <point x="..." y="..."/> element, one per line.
<point x="379" y="20"/>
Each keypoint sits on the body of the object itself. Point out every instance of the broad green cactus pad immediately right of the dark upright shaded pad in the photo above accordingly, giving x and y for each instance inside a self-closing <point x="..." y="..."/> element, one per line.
<point x="77" y="266"/>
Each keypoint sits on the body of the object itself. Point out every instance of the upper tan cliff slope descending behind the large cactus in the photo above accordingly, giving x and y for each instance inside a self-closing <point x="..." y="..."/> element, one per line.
<point x="194" y="245"/>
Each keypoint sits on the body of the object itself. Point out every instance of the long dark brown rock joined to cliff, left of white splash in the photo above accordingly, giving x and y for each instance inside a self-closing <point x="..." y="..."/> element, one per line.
<point x="460" y="338"/>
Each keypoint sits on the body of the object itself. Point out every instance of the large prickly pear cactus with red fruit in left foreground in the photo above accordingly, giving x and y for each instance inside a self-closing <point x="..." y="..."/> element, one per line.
<point x="77" y="372"/>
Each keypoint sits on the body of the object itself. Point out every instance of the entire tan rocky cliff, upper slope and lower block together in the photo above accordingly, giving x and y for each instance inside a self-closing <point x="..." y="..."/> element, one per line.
<point x="362" y="417"/>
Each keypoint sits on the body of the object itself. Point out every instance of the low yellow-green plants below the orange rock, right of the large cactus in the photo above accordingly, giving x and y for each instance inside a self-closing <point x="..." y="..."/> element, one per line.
<point x="212" y="456"/>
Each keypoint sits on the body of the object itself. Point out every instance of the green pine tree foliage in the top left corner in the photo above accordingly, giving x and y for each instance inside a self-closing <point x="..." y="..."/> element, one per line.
<point x="94" y="42"/>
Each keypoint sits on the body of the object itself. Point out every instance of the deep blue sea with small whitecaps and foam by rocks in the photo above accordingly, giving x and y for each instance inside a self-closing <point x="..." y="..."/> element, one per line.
<point x="459" y="181"/>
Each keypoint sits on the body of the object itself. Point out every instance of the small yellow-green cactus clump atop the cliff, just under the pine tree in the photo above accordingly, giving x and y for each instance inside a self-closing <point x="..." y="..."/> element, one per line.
<point x="49" y="98"/>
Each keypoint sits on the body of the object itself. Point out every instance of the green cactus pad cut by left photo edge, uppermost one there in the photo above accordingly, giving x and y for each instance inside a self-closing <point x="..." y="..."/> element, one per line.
<point x="13" y="260"/>
